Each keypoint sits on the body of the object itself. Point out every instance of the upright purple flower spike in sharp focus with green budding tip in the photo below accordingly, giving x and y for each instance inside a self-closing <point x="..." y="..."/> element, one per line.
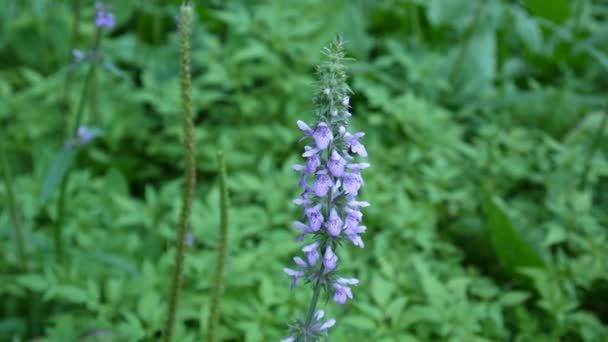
<point x="331" y="180"/>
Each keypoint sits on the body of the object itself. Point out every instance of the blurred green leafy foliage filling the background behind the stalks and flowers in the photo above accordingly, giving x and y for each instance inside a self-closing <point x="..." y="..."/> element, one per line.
<point x="488" y="182"/>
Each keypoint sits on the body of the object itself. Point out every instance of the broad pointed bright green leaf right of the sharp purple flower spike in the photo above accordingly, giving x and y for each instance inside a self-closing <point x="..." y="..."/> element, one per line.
<point x="512" y="250"/>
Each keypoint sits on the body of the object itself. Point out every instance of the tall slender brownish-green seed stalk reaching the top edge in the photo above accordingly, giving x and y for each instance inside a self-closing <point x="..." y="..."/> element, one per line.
<point x="190" y="169"/>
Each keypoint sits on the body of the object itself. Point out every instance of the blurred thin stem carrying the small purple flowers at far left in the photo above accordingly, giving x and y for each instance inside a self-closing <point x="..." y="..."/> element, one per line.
<point x="62" y="192"/>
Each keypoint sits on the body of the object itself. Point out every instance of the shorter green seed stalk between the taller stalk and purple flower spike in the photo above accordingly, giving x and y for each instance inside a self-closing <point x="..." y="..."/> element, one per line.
<point x="216" y="291"/>
